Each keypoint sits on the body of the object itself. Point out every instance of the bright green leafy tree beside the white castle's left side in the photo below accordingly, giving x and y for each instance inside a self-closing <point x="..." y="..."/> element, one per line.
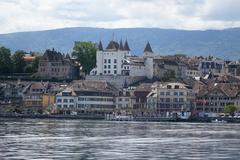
<point x="86" y="55"/>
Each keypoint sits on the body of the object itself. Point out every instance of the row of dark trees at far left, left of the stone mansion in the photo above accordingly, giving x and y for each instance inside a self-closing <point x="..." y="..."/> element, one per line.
<point x="15" y="63"/>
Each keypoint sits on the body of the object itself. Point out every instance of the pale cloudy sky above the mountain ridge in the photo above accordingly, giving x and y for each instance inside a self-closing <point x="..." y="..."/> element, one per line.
<point x="34" y="15"/>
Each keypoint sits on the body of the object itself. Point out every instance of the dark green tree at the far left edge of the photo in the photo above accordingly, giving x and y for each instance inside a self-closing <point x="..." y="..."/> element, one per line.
<point x="5" y="61"/>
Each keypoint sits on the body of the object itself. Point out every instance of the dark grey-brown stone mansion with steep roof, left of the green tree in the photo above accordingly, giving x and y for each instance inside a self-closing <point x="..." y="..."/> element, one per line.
<point x="53" y="64"/>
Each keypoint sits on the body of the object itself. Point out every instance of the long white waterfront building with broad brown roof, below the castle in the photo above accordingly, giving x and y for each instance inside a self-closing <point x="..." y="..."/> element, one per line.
<point x="87" y="97"/>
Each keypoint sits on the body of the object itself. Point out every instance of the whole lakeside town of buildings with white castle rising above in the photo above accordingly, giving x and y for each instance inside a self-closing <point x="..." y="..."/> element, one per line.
<point x="123" y="84"/>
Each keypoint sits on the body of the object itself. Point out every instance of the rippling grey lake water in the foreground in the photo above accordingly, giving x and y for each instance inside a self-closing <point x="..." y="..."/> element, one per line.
<point x="81" y="139"/>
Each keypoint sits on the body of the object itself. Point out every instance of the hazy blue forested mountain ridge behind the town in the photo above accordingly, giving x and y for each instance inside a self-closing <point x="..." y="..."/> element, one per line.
<point x="221" y="43"/>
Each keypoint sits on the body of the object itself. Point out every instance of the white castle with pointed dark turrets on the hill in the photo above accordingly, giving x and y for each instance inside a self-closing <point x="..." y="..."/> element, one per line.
<point x="117" y="60"/>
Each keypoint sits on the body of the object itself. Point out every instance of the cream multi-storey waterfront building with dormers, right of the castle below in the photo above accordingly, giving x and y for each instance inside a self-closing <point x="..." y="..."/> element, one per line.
<point x="171" y="97"/>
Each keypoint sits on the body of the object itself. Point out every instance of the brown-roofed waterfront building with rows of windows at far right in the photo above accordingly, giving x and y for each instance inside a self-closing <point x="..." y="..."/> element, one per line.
<point x="214" y="94"/>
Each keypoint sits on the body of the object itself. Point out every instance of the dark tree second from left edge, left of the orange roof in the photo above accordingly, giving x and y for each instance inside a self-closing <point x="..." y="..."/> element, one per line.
<point x="18" y="61"/>
